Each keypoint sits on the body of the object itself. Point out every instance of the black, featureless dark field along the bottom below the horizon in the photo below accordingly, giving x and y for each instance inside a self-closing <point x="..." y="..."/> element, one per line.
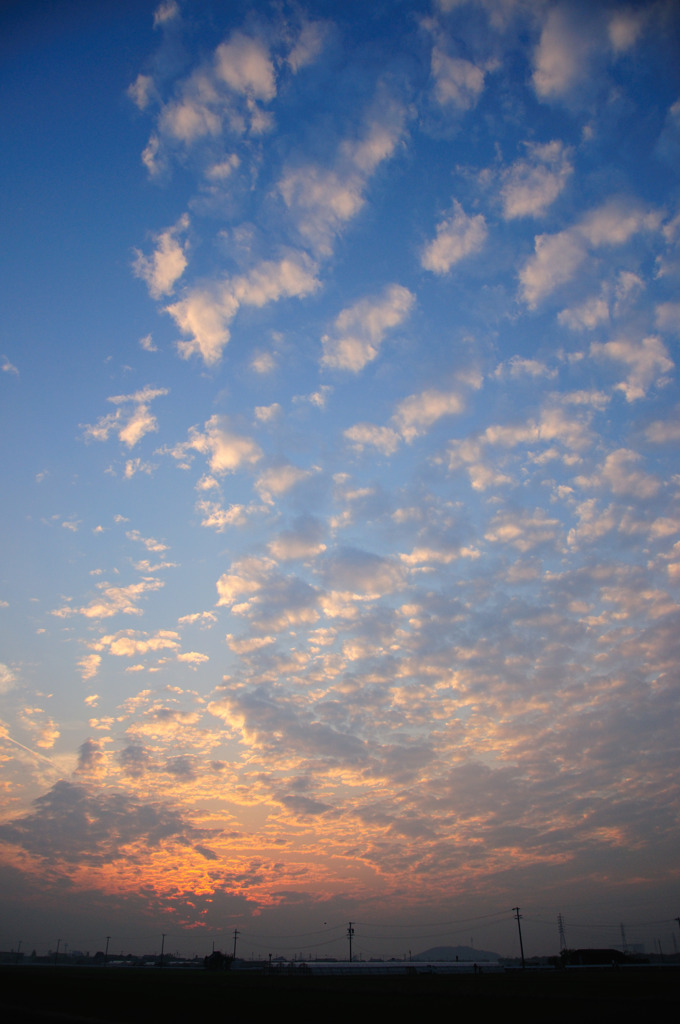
<point x="129" y="996"/>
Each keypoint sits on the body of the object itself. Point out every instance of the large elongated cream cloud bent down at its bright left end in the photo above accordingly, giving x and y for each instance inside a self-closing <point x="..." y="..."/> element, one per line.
<point x="205" y="314"/>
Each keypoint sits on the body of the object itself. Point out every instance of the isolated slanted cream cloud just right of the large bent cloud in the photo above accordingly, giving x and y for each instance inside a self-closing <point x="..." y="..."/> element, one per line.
<point x="359" y="330"/>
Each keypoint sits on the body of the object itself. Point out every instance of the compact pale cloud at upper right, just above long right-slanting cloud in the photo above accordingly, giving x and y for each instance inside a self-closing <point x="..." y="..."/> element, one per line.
<point x="532" y="186"/>
